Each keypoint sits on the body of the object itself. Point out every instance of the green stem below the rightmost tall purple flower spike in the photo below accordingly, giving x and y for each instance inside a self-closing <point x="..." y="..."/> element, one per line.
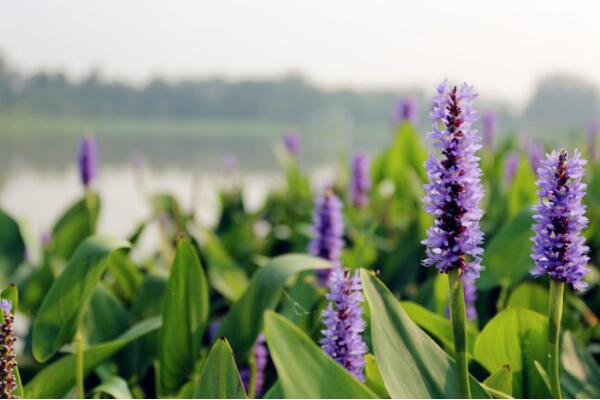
<point x="557" y="289"/>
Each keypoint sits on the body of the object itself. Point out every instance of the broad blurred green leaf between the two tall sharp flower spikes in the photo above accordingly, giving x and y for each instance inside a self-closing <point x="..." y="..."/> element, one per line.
<point x="507" y="257"/>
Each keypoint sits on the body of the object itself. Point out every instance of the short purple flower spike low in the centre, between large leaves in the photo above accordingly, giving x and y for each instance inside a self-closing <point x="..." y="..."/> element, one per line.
<point x="344" y="324"/>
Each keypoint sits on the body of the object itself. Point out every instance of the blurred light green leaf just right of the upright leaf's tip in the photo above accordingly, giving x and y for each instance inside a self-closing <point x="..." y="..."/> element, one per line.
<point x="224" y="274"/>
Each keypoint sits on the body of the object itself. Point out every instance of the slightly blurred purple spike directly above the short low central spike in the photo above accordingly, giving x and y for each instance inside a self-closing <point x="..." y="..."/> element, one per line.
<point x="328" y="228"/>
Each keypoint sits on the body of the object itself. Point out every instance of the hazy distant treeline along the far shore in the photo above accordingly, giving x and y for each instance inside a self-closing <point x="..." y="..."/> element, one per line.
<point x="559" y="102"/>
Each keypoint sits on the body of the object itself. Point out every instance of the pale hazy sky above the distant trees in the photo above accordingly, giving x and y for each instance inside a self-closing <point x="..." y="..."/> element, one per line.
<point x="502" y="47"/>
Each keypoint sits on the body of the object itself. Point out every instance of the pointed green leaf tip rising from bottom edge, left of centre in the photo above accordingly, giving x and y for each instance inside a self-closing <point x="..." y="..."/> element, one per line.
<point x="220" y="378"/>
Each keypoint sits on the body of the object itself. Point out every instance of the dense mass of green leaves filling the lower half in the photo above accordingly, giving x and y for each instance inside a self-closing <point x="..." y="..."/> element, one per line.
<point x="195" y="316"/>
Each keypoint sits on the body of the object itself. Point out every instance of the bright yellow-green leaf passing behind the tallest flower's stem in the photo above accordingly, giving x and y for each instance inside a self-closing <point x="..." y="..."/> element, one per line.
<point x="436" y="325"/>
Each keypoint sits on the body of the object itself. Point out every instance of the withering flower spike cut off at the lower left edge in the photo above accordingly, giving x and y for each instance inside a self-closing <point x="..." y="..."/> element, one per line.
<point x="8" y="361"/>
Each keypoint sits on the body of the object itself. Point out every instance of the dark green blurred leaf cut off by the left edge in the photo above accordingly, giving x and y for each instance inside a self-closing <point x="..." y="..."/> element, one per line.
<point x="12" y="245"/>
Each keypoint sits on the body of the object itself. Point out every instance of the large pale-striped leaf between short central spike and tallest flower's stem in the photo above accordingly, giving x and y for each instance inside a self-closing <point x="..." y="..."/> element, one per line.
<point x="411" y="363"/>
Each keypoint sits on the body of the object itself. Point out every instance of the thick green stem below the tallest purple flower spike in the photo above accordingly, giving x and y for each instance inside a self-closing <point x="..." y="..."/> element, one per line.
<point x="458" y="315"/>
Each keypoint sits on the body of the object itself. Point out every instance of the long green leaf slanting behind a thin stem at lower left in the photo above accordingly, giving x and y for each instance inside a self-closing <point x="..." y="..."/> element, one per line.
<point x="58" y="378"/>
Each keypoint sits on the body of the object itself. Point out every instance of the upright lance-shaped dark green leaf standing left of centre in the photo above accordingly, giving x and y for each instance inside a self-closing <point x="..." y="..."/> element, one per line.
<point x="185" y="314"/>
